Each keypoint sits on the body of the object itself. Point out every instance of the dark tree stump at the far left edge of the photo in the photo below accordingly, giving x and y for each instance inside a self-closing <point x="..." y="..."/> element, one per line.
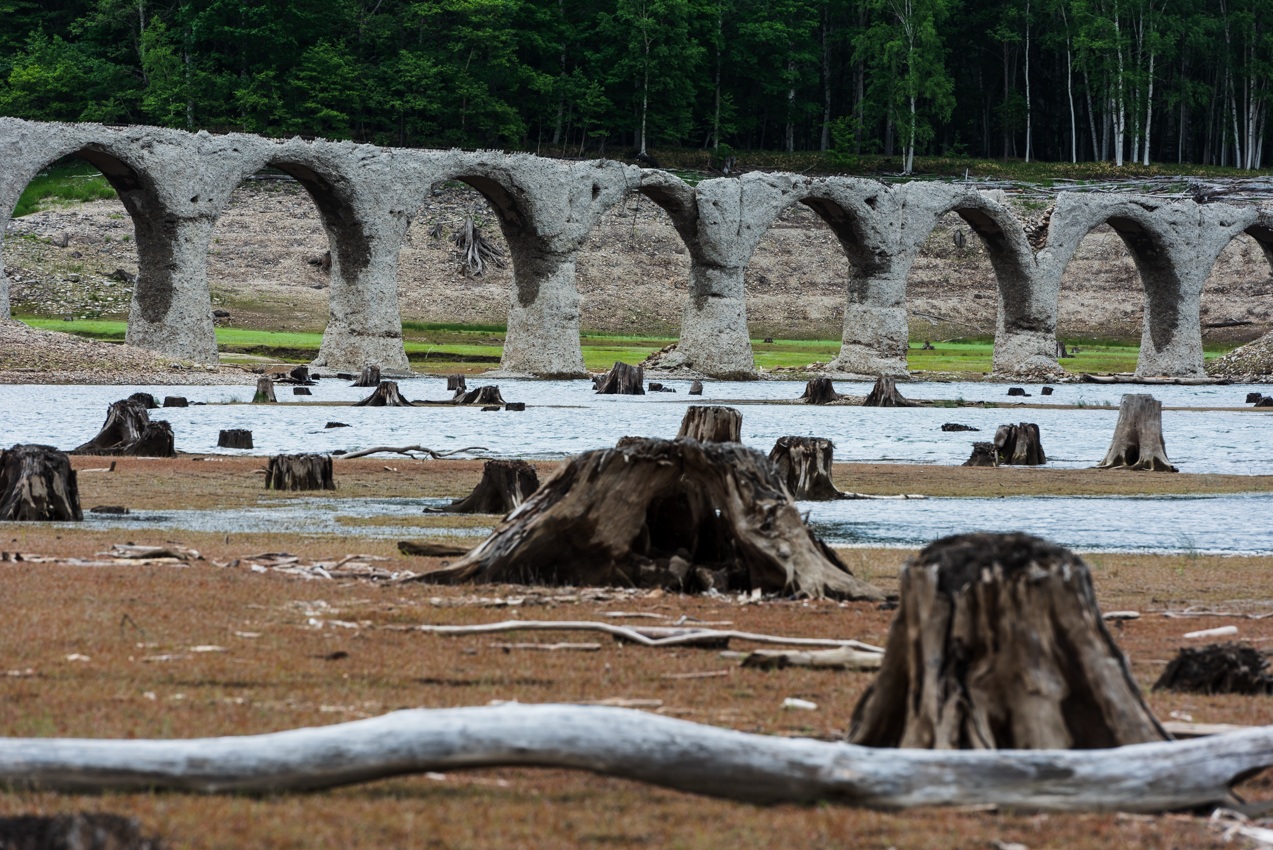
<point x="38" y="483"/>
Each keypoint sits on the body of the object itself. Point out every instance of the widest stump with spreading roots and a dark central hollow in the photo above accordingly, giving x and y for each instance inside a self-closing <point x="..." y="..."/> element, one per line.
<point x="661" y="513"/>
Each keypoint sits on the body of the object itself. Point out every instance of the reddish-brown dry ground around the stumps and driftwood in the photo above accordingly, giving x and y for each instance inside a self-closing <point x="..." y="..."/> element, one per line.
<point x="291" y="675"/>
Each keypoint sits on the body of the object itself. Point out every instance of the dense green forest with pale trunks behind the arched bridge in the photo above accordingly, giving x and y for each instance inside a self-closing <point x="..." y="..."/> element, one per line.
<point x="1032" y="81"/>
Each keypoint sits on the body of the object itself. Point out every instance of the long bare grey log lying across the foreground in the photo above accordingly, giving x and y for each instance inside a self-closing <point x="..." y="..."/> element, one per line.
<point x="647" y="748"/>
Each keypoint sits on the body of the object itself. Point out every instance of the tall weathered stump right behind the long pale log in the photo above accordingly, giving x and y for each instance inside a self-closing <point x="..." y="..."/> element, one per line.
<point x="999" y="644"/>
